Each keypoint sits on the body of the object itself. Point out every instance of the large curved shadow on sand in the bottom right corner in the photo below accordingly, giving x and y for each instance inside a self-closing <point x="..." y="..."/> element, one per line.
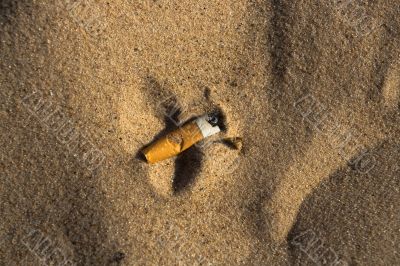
<point x="351" y="216"/>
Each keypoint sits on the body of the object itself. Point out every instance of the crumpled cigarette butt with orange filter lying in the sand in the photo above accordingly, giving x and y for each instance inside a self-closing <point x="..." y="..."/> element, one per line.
<point x="181" y="139"/>
